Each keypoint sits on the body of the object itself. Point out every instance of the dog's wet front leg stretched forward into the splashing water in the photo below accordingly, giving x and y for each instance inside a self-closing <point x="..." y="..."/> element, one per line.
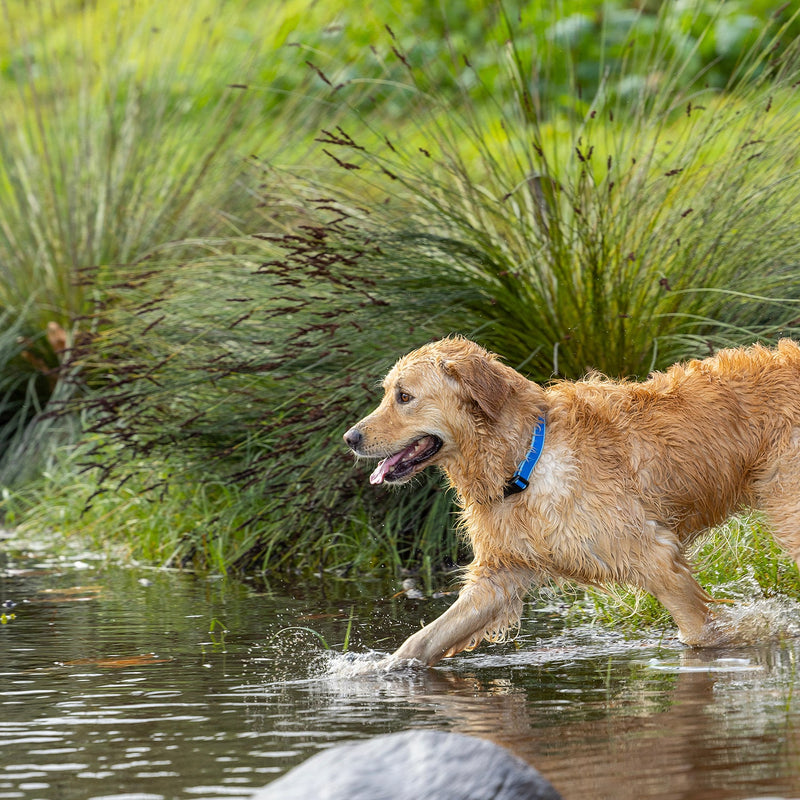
<point x="489" y="604"/>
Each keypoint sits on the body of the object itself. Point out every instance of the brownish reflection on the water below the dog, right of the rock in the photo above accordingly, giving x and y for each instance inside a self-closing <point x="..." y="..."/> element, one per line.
<point x="658" y="723"/>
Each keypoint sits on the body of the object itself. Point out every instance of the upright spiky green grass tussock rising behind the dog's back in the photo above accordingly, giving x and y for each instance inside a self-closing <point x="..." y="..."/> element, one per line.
<point x="622" y="240"/>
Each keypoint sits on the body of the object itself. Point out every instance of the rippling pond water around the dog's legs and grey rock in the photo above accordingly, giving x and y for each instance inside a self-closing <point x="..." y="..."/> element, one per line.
<point x="131" y="683"/>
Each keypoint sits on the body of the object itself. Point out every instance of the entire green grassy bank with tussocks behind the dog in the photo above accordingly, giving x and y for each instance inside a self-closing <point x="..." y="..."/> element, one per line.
<point x="617" y="208"/>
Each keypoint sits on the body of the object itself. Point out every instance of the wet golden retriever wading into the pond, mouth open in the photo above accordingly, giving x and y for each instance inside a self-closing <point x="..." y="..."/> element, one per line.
<point x="629" y="474"/>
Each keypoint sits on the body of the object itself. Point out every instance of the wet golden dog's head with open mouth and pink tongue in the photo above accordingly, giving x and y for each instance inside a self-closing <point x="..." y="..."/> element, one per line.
<point x="435" y="399"/>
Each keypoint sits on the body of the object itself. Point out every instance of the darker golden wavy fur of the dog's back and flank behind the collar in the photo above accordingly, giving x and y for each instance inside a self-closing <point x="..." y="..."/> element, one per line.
<point x="699" y="439"/>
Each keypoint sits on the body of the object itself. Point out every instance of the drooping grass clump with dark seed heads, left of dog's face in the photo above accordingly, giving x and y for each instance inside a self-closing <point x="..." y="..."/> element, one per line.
<point x="200" y="376"/>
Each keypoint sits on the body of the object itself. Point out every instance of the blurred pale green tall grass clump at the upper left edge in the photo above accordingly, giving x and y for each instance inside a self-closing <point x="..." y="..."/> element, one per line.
<point x="123" y="131"/>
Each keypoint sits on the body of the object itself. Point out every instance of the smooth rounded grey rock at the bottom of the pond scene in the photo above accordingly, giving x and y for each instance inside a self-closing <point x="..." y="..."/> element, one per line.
<point x="413" y="765"/>
